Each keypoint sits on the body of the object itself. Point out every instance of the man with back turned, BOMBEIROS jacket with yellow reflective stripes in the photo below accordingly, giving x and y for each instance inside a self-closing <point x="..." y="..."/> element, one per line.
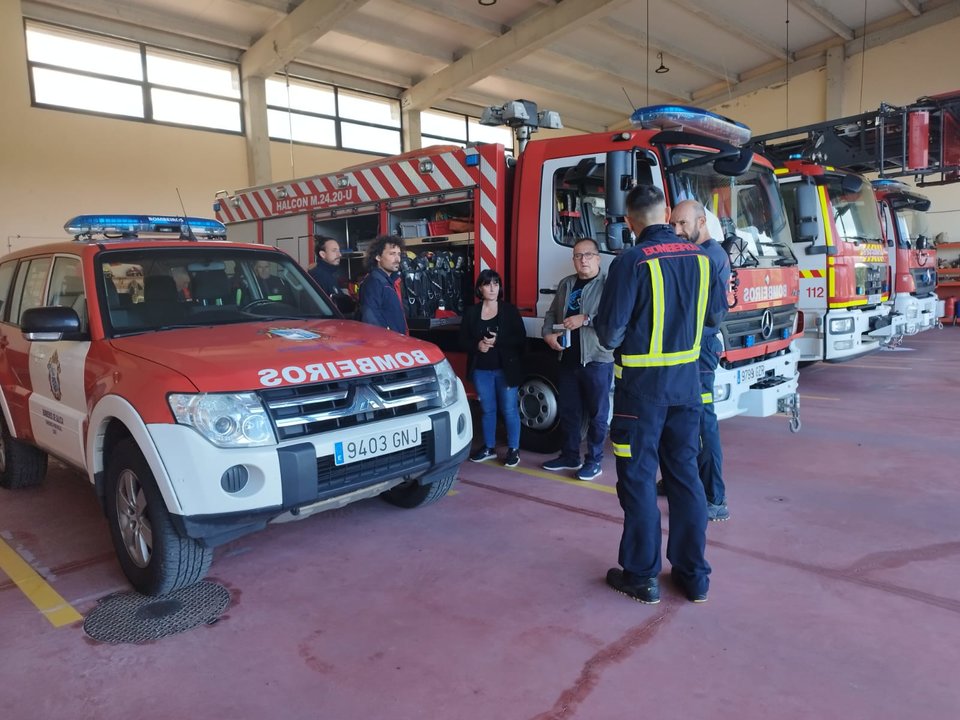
<point x="655" y="303"/>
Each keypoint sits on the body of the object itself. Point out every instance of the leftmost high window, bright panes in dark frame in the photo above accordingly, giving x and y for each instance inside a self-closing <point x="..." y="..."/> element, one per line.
<point x="93" y="73"/>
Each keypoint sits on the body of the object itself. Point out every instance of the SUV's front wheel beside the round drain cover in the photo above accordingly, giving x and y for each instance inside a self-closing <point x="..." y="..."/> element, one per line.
<point x="152" y="554"/>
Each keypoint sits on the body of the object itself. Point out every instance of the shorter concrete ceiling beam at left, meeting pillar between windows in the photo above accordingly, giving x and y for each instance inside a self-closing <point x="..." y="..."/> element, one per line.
<point x="294" y="34"/>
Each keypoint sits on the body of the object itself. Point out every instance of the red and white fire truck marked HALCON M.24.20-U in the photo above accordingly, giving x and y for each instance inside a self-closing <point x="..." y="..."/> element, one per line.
<point x="464" y="209"/>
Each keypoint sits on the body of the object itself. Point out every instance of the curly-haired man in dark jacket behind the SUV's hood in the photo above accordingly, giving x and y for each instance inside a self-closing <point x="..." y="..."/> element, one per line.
<point x="381" y="294"/>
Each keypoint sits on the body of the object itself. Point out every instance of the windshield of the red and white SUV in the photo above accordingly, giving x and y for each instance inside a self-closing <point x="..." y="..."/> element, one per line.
<point x="160" y="288"/>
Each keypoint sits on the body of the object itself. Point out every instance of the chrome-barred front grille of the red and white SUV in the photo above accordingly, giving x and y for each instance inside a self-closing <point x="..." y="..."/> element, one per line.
<point x="310" y="409"/>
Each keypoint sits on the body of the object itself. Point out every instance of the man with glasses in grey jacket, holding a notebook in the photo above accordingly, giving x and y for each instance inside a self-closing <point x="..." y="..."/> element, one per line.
<point x="586" y="367"/>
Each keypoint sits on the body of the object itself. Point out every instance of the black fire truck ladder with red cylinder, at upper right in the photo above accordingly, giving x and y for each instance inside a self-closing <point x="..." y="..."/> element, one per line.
<point x="921" y="140"/>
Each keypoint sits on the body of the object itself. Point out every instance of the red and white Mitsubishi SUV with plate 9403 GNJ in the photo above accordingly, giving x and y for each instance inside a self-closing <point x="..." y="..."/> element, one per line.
<point x="207" y="388"/>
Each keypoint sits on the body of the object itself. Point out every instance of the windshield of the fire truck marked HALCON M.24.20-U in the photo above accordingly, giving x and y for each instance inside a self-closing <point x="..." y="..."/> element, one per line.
<point x="747" y="207"/>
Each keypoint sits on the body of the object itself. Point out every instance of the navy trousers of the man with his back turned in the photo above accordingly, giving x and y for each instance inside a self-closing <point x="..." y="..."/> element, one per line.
<point x="637" y="432"/>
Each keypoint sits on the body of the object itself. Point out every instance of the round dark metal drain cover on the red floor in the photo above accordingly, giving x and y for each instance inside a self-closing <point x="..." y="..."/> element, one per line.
<point x="135" y="618"/>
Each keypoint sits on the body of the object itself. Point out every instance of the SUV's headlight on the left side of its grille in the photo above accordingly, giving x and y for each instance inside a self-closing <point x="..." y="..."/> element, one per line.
<point x="225" y="419"/>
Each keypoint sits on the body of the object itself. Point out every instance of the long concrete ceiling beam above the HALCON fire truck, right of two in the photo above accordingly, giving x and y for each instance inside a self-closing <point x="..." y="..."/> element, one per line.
<point x="522" y="39"/>
